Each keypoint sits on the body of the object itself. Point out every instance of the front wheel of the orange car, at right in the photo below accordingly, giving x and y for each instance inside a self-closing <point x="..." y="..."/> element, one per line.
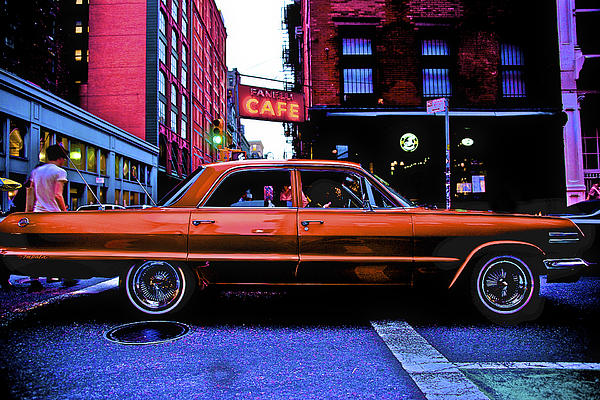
<point x="505" y="289"/>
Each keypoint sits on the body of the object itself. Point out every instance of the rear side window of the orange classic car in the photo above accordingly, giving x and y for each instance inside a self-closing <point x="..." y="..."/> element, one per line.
<point x="251" y="188"/>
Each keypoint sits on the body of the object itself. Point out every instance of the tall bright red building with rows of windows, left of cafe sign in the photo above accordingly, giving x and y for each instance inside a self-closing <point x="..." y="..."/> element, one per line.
<point x="157" y="70"/>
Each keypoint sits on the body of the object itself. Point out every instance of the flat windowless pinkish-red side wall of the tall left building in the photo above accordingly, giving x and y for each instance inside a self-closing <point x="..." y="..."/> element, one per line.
<point x="116" y="89"/>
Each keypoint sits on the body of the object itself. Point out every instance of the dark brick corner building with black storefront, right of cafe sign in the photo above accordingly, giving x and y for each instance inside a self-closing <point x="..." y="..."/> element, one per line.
<point x="368" y="68"/>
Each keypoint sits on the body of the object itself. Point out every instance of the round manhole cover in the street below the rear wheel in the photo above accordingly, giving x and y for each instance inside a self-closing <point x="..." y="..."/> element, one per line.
<point x="147" y="332"/>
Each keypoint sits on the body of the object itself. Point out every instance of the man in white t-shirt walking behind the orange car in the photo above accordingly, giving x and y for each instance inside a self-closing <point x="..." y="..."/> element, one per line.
<point x="48" y="182"/>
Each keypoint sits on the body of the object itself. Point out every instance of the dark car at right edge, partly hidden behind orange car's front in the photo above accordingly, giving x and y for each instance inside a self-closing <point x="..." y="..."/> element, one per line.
<point x="586" y="215"/>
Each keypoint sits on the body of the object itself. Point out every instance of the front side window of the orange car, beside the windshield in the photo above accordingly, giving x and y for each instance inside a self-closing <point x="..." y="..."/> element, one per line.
<point x="332" y="189"/>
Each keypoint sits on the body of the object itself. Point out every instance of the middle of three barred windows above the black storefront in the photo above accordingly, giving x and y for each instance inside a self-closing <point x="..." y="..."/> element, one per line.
<point x="435" y="72"/>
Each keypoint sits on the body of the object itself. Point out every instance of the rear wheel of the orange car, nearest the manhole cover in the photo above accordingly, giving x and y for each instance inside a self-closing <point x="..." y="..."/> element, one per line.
<point x="159" y="287"/>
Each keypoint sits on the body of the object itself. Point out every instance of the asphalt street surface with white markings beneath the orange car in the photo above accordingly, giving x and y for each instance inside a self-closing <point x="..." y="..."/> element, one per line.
<point x="299" y="343"/>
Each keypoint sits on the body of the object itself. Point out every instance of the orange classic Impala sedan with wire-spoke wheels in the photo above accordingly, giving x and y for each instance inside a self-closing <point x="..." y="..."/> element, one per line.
<point x="296" y="222"/>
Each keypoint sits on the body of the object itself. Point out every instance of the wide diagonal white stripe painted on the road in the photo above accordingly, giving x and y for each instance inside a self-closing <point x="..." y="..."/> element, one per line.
<point x="435" y="376"/>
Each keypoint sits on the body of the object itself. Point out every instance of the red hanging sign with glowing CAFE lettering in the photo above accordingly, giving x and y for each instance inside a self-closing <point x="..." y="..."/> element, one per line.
<point x="271" y="104"/>
